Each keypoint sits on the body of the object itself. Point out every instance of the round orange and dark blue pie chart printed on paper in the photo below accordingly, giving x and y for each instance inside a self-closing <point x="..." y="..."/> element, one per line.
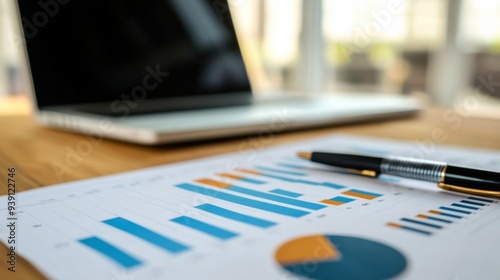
<point x="340" y="257"/>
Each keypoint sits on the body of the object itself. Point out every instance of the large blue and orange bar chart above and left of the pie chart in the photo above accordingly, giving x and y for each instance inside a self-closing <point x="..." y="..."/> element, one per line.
<point x="268" y="198"/>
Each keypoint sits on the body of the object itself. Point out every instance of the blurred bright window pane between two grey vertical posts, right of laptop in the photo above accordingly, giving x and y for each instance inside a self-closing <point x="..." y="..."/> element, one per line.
<point x="380" y="45"/>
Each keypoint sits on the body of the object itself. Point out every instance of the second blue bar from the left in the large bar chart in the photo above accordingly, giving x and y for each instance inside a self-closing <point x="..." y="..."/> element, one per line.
<point x="146" y="234"/>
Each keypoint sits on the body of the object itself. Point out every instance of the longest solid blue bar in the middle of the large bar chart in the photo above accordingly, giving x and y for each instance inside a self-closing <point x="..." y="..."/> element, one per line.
<point x="291" y="212"/>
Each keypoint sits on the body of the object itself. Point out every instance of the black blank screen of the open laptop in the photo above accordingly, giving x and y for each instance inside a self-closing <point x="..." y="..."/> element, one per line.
<point x="145" y="55"/>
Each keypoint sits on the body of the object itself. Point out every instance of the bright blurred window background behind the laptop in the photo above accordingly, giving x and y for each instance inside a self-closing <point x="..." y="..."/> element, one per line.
<point x="445" y="49"/>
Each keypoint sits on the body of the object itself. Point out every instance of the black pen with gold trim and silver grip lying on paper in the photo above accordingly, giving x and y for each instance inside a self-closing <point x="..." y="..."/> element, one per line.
<point x="447" y="177"/>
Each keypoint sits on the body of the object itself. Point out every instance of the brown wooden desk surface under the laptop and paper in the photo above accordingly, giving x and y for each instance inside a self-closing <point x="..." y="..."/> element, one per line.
<point x="38" y="152"/>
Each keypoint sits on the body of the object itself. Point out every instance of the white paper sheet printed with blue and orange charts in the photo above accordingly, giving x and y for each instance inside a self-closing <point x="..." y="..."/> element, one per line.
<point x="262" y="214"/>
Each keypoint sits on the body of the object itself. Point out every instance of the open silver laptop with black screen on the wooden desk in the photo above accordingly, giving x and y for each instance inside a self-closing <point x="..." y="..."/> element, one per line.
<point x="162" y="71"/>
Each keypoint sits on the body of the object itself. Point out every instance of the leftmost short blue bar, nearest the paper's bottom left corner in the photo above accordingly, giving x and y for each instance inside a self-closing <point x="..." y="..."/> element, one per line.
<point x="110" y="251"/>
